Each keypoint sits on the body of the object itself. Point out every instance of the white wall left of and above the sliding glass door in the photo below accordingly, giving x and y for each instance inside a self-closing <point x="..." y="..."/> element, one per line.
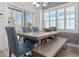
<point x="4" y="22"/>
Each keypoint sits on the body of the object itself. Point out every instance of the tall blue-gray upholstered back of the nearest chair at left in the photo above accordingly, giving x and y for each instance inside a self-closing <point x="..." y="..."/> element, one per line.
<point x="12" y="40"/>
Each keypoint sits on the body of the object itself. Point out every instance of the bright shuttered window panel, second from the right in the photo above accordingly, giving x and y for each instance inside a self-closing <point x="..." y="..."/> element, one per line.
<point x="60" y="19"/>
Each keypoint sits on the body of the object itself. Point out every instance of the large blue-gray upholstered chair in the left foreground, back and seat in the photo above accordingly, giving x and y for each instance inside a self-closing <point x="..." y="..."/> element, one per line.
<point x="15" y="47"/>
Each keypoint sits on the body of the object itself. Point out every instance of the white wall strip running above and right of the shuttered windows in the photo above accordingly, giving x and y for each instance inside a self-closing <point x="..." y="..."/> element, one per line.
<point x="67" y="5"/>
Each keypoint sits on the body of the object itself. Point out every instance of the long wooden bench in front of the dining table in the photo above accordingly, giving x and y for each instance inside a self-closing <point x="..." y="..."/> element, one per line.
<point x="50" y="49"/>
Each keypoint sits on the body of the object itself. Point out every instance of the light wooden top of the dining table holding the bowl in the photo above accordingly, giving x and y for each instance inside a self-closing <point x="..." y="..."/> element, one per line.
<point x="38" y="35"/>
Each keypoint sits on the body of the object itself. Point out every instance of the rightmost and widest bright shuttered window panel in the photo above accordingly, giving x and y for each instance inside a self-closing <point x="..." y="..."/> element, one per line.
<point x="70" y="18"/>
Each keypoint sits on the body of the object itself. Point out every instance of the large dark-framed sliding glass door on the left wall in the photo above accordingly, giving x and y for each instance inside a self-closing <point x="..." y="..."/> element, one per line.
<point x="19" y="18"/>
